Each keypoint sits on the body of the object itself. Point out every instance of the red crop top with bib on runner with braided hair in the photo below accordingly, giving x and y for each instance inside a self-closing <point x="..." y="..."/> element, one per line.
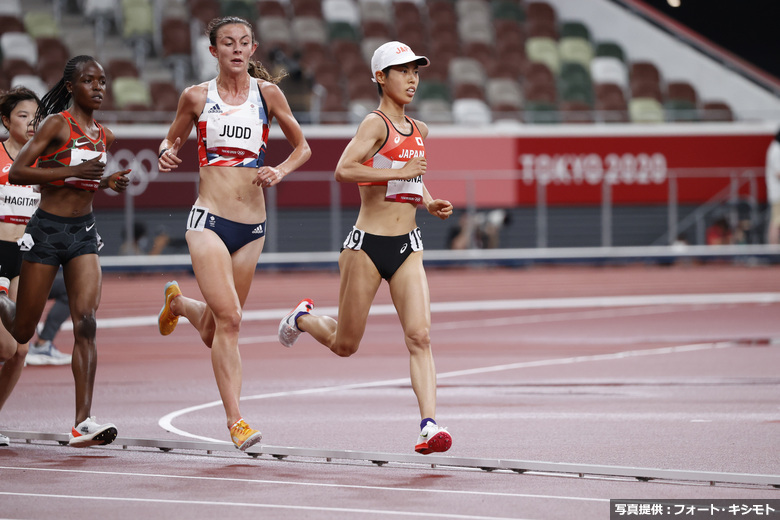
<point x="77" y="149"/>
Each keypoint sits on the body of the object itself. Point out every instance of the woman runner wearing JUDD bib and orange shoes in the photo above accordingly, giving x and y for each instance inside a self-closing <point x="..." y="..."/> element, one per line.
<point x="226" y="226"/>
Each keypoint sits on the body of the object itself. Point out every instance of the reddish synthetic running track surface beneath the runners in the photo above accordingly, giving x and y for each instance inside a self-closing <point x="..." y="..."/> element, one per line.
<point x="547" y="383"/>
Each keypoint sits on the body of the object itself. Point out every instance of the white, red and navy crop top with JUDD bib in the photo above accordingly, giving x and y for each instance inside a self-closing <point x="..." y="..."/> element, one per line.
<point x="233" y="135"/>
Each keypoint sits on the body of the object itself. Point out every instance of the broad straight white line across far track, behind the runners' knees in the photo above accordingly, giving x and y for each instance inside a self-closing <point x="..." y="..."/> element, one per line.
<point x="497" y="305"/>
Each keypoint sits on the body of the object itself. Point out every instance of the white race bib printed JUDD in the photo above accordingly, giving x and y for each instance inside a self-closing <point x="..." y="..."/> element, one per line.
<point x="233" y="136"/>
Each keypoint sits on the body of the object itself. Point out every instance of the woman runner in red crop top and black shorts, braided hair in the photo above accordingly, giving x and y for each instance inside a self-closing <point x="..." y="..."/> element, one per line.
<point x="70" y="149"/>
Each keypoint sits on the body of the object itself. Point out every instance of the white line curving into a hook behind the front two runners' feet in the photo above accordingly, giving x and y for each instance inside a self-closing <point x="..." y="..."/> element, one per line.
<point x="166" y="422"/>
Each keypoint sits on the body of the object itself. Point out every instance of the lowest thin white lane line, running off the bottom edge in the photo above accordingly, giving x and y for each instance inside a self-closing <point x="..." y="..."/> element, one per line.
<point x="263" y="506"/>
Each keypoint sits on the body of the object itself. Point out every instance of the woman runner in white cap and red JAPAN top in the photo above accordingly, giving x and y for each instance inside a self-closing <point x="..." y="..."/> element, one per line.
<point x="386" y="158"/>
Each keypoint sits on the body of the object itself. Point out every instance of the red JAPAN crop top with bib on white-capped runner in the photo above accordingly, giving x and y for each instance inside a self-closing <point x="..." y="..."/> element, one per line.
<point x="394" y="153"/>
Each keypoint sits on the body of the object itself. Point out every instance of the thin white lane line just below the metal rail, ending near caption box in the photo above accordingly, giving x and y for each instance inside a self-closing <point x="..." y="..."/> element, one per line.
<point x="308" y="484"/>
